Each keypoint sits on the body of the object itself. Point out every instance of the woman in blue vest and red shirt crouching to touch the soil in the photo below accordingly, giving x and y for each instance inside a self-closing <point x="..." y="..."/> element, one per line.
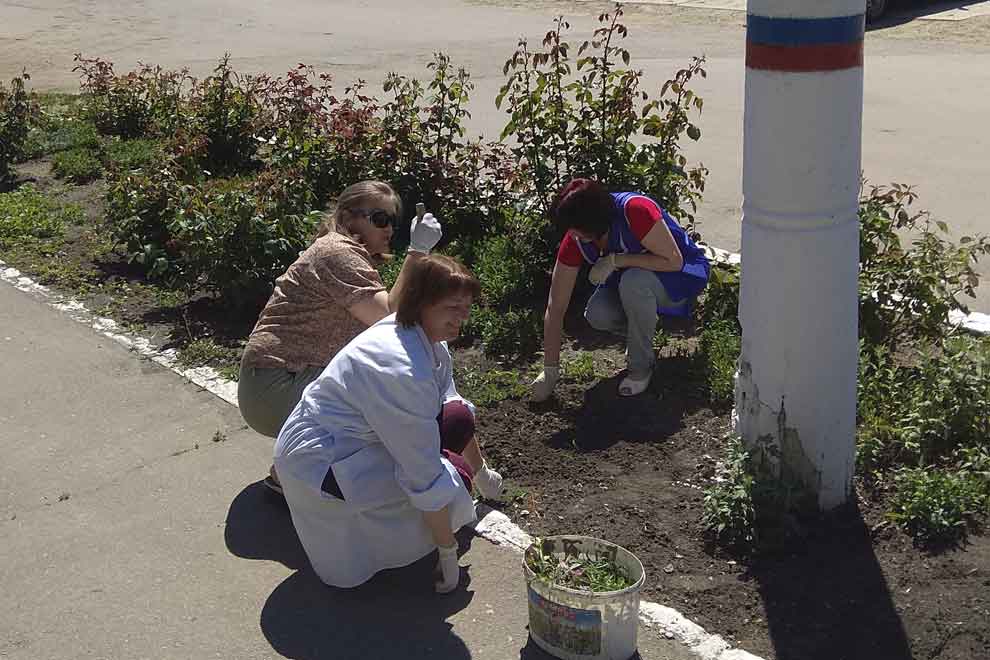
<point x="642" y="263"/>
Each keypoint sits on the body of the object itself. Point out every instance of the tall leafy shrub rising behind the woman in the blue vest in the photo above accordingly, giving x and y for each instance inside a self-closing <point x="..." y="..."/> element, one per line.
<point x="590" y="117"/>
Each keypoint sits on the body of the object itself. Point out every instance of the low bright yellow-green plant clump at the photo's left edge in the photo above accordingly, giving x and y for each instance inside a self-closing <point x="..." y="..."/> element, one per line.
<point x="26" y="213"/>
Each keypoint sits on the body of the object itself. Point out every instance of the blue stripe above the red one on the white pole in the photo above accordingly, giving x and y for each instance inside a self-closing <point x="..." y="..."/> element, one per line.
<point x="805" y="31"/>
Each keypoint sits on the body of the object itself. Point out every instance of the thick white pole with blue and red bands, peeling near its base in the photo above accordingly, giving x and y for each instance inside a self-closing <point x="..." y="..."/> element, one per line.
<point x="796" y="386"/>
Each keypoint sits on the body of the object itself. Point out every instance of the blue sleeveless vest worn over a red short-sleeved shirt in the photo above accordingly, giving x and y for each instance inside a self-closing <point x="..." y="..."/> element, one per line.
<point x="684" y="285"/>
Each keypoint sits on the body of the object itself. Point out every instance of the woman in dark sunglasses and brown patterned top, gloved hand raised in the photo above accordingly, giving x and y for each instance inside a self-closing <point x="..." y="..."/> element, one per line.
<point x="326" y="298"/>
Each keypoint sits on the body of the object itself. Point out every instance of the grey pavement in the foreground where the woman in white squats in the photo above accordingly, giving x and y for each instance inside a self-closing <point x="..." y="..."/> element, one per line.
<point x="127" y="532"/>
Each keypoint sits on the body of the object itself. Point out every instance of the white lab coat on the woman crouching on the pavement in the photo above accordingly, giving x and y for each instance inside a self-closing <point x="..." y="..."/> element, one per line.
<point x="372" y="417"/>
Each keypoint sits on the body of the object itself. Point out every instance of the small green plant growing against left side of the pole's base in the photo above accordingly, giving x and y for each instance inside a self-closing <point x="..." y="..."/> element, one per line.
<point x="729" y="512"/>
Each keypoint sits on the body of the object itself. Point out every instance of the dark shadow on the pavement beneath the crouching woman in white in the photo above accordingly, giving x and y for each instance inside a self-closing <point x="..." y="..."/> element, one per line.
<point x="395" y="614"/>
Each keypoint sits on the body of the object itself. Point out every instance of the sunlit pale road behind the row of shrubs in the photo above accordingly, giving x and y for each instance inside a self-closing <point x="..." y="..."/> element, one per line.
<point x="927" y="82"/>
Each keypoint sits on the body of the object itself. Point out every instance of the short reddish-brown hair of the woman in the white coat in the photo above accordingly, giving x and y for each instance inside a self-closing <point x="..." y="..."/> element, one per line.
<point x="431" y="279"/>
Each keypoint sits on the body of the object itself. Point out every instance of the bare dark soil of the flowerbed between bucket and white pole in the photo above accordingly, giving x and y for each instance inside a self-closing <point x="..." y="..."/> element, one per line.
<point x="632" y="471"/>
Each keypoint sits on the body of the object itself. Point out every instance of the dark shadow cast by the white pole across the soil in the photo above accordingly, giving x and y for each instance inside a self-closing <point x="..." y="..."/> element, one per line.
<point x="825" y="594"/>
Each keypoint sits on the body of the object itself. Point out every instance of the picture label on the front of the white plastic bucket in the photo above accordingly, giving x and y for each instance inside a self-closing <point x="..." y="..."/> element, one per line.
<point x="578" y="632"/>
